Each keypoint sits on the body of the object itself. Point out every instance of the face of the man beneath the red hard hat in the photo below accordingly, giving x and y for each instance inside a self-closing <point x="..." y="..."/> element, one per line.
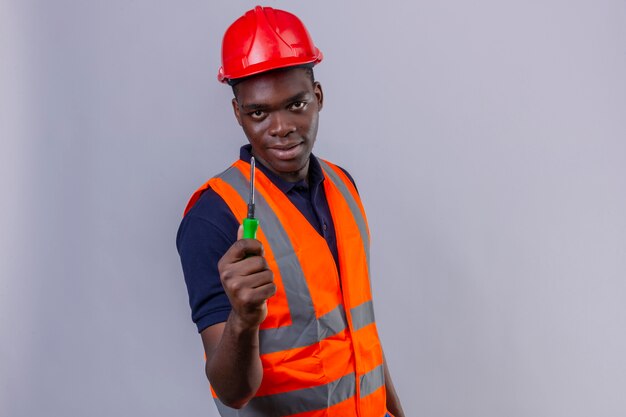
<point x="279" y="113"/>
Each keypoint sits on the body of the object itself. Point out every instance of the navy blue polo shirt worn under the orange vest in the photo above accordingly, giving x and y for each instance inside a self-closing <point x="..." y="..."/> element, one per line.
<point x="210" y="228"/>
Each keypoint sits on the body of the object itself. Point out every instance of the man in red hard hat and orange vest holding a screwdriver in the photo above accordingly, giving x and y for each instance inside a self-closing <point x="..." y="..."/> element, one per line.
<point x="286" y="319"/>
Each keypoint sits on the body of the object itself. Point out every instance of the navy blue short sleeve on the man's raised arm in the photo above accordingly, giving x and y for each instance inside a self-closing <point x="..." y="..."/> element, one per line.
<point x="204" y="235"/>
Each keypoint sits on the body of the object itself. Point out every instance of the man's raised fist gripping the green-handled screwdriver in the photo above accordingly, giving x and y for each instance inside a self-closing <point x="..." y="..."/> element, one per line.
<point x="247" y="280"/>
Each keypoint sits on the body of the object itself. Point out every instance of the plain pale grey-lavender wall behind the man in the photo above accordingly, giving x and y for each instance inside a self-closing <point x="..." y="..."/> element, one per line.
<point x="488" y="142"/>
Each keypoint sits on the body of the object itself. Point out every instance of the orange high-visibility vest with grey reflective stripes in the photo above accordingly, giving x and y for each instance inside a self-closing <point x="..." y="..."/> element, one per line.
<point x="319" y="345"/>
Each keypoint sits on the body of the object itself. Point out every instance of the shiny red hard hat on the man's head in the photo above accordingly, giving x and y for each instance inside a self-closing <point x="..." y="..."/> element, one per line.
<point x="264" y="39"/>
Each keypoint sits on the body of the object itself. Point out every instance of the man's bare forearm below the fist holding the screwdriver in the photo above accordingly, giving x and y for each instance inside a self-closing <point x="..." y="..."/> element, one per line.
<point x="234" y="368"/>
